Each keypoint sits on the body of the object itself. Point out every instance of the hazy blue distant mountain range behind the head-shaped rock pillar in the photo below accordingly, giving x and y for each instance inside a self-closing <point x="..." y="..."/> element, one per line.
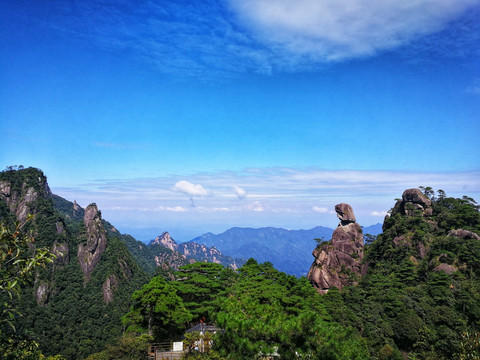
<point x="288" y="250"/>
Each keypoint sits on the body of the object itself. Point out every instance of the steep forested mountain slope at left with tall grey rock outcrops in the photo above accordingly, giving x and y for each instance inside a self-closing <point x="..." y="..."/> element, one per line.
<point x="88" y="287"/>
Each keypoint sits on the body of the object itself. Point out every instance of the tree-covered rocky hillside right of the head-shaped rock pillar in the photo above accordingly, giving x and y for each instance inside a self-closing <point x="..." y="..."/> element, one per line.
<point x="421" y="293"/>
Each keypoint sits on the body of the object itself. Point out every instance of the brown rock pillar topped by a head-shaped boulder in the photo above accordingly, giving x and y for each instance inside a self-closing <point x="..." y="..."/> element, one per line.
<point x="338" y="261"/>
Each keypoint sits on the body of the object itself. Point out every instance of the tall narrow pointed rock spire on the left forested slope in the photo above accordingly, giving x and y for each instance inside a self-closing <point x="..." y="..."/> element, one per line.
<point x="89" y="254"/>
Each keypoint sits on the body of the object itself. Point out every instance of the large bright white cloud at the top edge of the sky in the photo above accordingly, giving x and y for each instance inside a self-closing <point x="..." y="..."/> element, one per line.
<point x="337" y="29"/>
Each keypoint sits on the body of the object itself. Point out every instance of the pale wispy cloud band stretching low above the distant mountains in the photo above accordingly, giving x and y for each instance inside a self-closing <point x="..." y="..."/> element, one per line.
<point x="283" y="196"/>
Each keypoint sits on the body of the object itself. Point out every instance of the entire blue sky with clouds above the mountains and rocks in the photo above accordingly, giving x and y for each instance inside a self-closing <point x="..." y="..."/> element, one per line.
<point x="191" y="117"/>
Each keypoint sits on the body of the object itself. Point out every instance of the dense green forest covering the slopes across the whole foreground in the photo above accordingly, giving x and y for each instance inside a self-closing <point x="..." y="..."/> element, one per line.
<point x="419" y="297"/>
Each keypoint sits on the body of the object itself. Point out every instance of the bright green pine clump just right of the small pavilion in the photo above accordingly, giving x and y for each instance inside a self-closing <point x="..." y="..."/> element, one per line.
<point x="266" y="311"/>
